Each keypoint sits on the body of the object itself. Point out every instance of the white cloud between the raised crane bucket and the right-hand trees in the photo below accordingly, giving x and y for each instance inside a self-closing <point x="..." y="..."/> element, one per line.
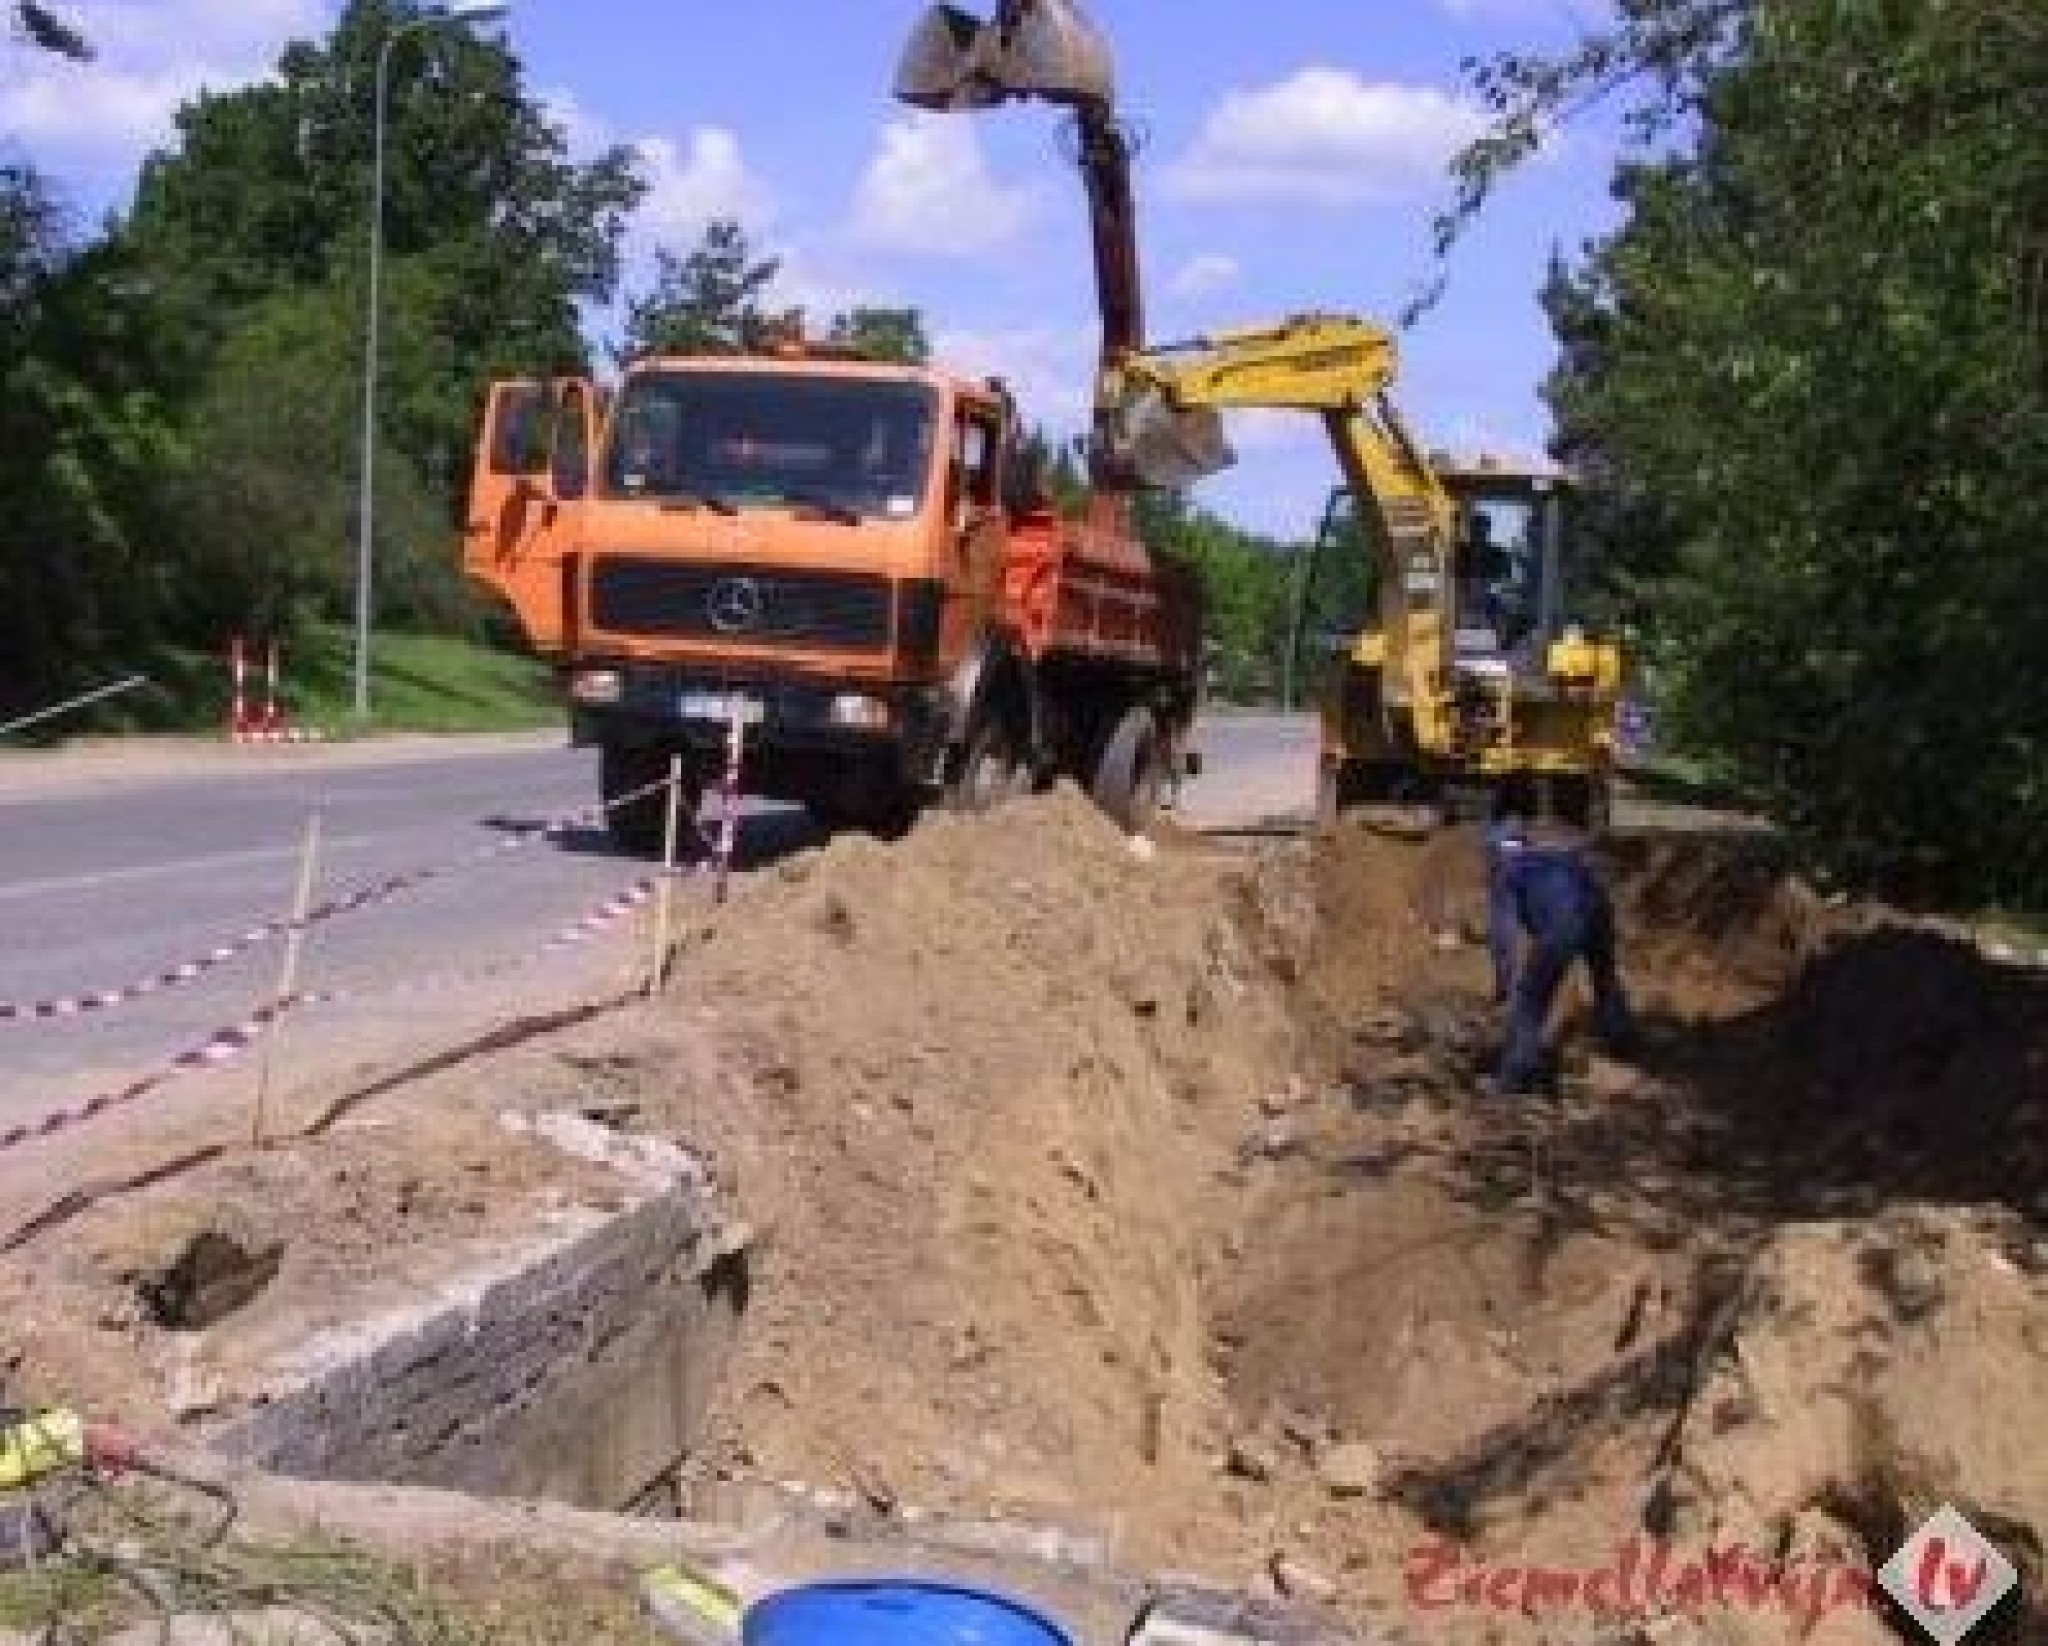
<point x="1324" y="136"/>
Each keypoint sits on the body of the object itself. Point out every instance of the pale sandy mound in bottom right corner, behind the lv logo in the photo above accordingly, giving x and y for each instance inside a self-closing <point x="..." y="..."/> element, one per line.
<point x="1869" y="1375"/>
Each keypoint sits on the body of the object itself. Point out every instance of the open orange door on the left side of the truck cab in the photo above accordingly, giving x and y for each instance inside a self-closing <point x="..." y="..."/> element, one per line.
<point x="525" y="503"/>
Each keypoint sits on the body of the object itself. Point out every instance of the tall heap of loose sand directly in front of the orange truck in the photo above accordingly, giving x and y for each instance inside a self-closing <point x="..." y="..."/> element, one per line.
<point x="990" y="1078"/>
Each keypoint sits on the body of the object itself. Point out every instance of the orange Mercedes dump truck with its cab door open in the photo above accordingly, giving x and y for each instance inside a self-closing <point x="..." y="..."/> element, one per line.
<point x="853" y="558"/>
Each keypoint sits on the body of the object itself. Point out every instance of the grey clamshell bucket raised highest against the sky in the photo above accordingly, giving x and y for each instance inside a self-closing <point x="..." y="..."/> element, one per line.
<point x="1031" y="48"/>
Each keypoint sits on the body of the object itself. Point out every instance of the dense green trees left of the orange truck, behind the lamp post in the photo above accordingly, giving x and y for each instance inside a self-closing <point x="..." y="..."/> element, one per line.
<point x="181" y="398"/>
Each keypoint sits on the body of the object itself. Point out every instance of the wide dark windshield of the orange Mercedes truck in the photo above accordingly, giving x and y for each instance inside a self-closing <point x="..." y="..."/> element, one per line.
<point x="734" y="439"/>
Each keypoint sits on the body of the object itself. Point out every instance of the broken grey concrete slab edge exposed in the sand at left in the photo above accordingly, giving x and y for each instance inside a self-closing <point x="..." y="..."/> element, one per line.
<point x="577" y="1371"/>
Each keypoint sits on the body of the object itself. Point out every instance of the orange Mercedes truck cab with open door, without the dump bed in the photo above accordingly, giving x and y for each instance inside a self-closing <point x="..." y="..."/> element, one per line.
<point x="808" y="544"/>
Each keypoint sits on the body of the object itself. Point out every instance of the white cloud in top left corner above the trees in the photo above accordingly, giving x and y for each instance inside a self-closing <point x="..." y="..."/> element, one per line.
<point x="151" y="58"/>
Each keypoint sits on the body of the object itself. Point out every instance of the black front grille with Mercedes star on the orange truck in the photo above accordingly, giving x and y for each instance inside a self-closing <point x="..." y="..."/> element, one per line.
<point x="736" y="603"/>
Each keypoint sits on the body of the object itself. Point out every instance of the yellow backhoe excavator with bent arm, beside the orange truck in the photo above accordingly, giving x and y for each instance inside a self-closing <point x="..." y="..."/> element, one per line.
<point x="1435" y="591"/>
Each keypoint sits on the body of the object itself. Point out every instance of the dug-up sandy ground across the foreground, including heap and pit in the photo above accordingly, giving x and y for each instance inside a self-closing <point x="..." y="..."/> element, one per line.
<point x="1148" y="1190"/>
